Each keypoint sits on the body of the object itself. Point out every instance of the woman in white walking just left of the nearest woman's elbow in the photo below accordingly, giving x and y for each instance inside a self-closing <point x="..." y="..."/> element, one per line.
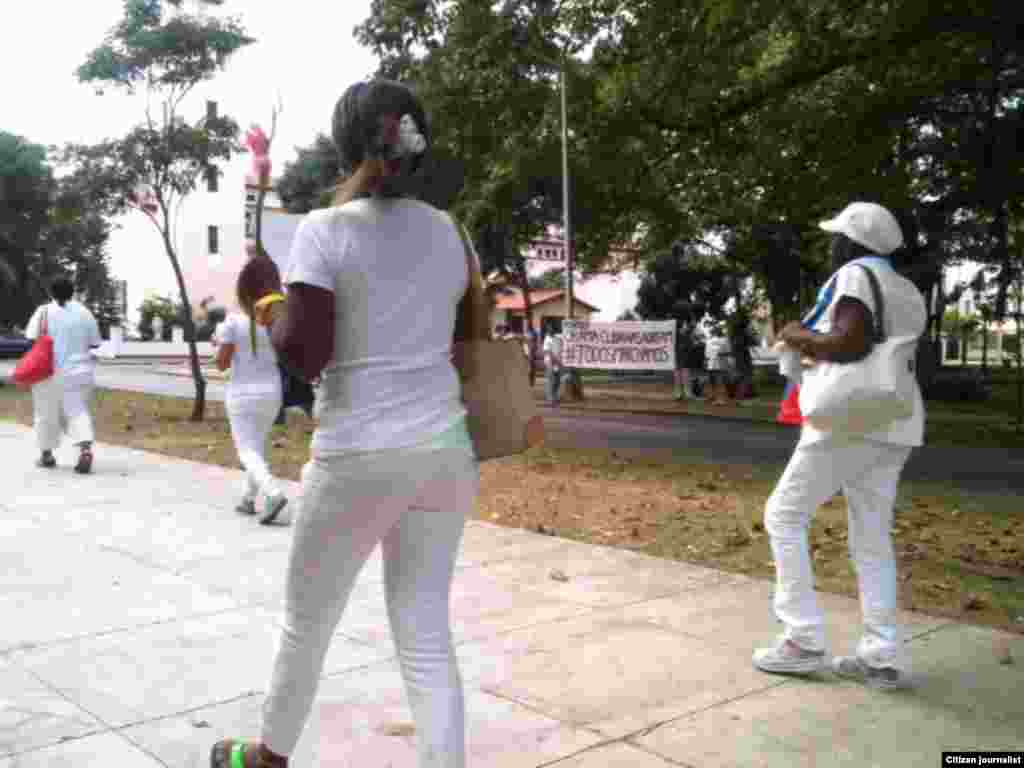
<point x="253" y="402"/>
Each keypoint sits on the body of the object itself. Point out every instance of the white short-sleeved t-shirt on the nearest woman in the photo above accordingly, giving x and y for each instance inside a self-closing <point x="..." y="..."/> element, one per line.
<point x="398" y="271"/>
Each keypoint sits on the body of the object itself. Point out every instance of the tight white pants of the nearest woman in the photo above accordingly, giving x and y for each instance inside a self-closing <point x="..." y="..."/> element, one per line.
<point x="415" y="504"/>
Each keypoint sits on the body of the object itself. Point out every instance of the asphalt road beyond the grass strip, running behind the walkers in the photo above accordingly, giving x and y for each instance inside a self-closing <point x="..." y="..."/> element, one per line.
<point x="716" y="440"/>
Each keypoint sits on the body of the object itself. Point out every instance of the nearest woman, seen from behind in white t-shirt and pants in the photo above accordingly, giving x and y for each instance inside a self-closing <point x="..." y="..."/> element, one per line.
<point x="371" y="309"/>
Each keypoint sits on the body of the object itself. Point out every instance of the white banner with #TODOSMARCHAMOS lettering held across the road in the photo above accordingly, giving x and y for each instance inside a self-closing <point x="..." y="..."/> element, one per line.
<point x="628" y="346"/>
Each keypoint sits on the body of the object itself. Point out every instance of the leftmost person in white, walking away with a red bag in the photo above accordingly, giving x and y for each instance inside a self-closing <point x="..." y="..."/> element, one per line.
<point x="62" y="403"/>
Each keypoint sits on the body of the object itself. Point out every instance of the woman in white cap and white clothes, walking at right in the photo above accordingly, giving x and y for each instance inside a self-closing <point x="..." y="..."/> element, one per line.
<point x="867" y="468"/>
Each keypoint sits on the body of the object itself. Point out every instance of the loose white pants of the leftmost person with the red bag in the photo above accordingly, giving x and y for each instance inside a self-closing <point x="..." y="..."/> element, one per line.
<point x="61" y="404"/>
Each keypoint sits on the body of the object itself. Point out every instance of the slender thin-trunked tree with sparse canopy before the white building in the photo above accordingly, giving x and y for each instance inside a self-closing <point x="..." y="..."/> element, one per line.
<point x="167" y="53"/>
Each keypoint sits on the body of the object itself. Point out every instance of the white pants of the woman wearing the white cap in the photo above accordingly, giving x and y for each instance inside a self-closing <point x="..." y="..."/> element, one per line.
<point x="869" y="475"/>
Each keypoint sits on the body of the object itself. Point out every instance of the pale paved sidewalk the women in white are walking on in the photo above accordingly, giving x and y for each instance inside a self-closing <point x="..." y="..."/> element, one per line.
<point x="141" y="617"/>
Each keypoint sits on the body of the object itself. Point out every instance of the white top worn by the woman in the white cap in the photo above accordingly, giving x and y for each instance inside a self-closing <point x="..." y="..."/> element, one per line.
<point x="906" y="315"/>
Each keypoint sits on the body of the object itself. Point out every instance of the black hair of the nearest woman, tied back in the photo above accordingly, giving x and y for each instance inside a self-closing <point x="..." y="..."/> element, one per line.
<point x="356" y="126"/>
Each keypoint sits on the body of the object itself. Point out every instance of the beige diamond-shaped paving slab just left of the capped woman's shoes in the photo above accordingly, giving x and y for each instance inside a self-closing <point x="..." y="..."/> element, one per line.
<point x="612" y="675"/>
